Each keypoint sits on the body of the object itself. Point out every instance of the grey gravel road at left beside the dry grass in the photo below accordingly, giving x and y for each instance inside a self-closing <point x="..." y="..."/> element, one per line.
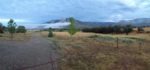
<point x="34" y="54"/>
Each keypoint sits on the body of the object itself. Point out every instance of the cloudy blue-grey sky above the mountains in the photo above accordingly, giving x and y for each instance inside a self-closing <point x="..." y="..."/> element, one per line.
<point x="40" y="11"/>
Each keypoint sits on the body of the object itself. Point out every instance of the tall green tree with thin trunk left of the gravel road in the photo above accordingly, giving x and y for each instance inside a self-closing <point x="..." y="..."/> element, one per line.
<point x="11" y="27"/>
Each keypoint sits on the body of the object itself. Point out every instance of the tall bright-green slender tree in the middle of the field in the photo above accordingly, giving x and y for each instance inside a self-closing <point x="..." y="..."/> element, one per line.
<point x="72" y="29"/>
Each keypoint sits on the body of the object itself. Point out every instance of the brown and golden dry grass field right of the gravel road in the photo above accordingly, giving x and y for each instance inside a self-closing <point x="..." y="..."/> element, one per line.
<point x="90" y="51"/>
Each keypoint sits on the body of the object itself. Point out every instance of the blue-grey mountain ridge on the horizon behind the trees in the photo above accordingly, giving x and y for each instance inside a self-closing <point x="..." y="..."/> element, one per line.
<point x="140" y="22"/>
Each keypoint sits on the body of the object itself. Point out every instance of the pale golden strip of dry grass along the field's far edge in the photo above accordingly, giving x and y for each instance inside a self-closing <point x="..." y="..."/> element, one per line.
<point x="85" y="35"/>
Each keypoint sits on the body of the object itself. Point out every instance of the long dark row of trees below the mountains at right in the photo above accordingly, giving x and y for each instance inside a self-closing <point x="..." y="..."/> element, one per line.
<point x="110" y="29"/>
